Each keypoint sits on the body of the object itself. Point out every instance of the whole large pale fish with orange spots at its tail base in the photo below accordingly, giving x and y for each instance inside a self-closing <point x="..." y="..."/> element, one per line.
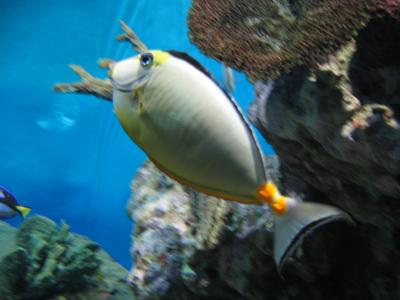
<point x="194" y="132"/>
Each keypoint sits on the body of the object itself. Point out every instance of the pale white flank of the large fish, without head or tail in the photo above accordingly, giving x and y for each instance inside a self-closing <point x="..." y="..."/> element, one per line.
<point x="192" y="130"/>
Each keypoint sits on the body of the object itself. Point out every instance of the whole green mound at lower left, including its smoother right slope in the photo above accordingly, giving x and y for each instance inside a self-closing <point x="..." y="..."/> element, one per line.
<point x="41" y="261"/>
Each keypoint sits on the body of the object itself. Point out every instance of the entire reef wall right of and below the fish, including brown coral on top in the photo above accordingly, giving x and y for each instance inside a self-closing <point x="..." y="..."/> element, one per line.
<point x="331" y="115"/>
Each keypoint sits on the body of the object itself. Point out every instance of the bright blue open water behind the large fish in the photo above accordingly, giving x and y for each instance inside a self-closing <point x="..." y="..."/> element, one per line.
<point x="65" y="155"/>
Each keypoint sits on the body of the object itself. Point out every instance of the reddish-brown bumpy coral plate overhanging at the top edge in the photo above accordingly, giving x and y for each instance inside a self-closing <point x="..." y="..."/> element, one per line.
<point x="269" y="38"/>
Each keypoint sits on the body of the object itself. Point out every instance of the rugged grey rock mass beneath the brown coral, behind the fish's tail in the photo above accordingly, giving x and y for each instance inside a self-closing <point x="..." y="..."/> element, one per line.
<point x="335" y="129"/>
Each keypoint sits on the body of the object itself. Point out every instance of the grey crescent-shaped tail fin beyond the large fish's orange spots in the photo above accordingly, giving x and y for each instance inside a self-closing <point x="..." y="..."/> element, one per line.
<point x="299" y="221"/>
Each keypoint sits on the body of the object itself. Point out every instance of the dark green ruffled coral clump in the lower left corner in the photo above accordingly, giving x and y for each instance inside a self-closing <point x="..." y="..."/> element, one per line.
<point x="47" y="262"/>
